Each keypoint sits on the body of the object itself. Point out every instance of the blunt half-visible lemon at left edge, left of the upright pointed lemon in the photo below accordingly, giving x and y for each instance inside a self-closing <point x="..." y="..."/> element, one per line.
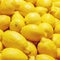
<point x="4" y="22"/>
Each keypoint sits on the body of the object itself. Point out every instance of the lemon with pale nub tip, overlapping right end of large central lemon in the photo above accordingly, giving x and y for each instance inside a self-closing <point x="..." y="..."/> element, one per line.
<point x="48" y="29"/>
